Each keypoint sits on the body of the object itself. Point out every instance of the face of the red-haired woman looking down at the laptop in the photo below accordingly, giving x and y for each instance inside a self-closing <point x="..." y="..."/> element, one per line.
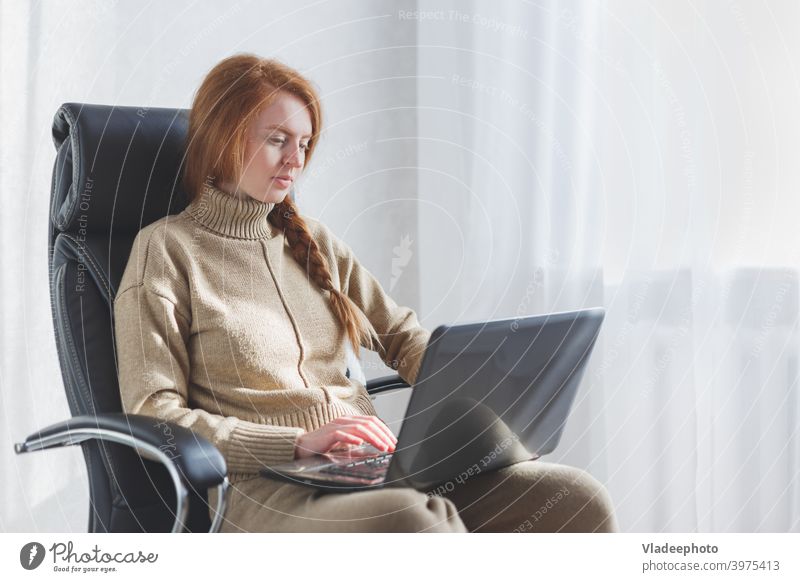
<point x="275" y="150"/>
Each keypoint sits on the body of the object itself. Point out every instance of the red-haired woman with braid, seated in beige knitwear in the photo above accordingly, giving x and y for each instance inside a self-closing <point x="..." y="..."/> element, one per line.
<point x="236" y="319"/>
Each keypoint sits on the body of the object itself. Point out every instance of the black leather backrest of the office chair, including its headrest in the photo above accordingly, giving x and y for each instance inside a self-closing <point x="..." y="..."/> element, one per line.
<point x="117" y="169"/>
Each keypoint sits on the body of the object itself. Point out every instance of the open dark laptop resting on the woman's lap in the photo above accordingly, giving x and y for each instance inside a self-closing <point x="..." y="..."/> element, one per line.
<point x="487" y="395"/>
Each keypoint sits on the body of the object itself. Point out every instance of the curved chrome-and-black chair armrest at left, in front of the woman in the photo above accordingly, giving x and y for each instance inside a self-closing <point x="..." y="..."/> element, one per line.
<point x="188" y="457"/>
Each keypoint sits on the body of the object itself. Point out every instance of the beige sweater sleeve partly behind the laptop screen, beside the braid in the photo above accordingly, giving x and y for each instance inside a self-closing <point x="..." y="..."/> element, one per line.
<point x="403" y="339"/>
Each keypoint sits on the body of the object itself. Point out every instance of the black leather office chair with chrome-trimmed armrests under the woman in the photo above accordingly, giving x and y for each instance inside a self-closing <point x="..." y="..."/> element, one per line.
<point x="118" y="169"/>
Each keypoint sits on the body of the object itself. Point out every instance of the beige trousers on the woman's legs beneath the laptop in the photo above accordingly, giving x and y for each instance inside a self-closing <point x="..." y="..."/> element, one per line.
<point x="531" y="496"/>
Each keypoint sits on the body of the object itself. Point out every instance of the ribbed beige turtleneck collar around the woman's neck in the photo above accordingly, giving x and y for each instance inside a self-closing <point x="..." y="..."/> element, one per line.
<point x="244" y="217"/>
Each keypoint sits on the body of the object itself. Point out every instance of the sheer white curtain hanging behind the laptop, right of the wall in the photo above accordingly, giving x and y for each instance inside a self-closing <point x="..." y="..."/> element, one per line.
<point x="639" y="156"/>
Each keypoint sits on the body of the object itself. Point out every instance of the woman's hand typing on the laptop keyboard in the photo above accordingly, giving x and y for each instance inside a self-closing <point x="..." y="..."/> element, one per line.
<point x="348" y="430"/>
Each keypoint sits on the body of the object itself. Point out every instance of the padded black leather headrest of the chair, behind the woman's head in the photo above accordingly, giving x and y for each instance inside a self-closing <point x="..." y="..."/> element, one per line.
<point x="118" y="168"/>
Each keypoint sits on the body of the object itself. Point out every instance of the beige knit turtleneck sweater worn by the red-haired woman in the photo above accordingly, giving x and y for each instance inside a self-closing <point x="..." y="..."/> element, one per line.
<point x="219" y="329"/>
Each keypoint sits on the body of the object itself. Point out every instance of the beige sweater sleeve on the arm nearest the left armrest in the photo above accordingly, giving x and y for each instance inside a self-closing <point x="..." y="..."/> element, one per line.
<point x="152" y="335"/>
